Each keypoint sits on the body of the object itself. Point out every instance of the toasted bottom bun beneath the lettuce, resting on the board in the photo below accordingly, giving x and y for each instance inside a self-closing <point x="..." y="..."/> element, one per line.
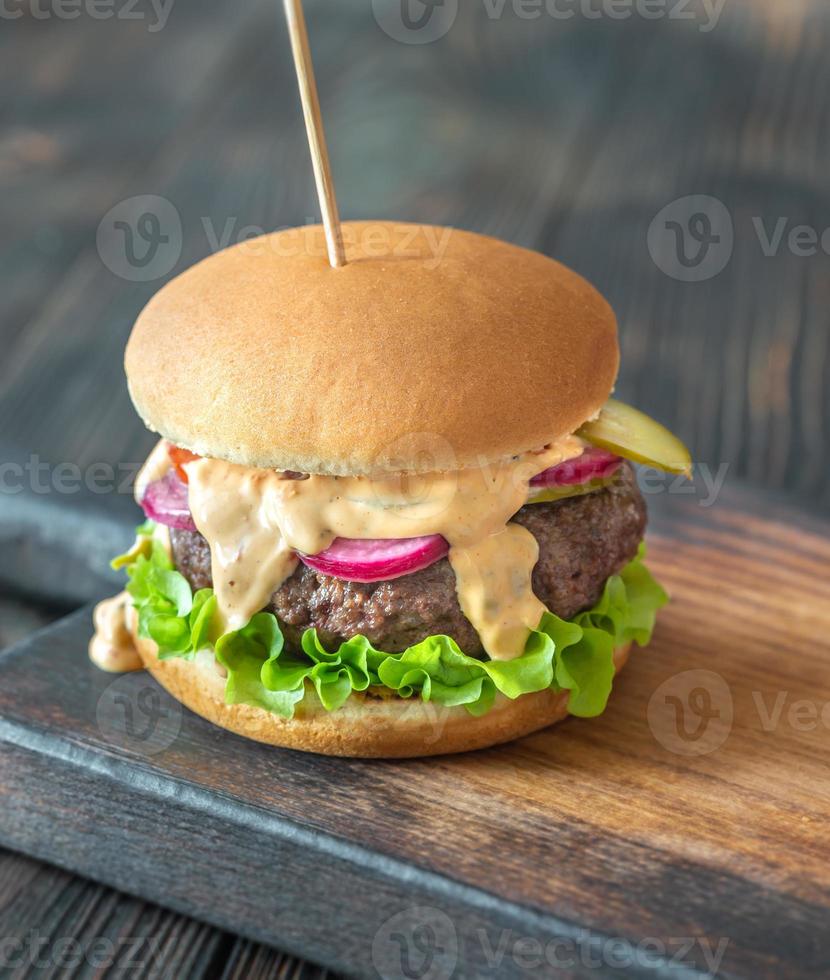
<point x="367" y="726"/>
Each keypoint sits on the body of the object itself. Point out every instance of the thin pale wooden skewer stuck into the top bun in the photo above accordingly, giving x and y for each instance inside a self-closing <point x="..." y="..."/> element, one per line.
<point x="314" y="128"/>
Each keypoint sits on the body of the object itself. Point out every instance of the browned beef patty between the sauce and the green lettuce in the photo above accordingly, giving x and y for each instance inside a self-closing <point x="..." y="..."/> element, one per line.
<point x="582" y="541"/>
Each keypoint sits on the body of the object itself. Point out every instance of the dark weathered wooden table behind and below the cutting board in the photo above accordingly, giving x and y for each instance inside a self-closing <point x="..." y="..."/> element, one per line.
<point x="571" y="136"/>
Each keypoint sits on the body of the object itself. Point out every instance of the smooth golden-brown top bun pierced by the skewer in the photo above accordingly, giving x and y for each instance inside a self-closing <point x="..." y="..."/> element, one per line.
<point x="432" y="349"/>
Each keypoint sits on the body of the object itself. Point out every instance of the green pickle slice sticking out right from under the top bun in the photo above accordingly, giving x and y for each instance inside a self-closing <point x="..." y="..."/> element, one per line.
<point x="629" y="432"/>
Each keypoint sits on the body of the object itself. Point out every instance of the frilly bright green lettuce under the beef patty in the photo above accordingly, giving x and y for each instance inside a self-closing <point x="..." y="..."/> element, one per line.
<point x="575" y="656"/>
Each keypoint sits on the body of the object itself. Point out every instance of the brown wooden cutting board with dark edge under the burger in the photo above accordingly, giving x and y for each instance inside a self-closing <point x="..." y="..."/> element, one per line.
<point x="684" y="833"/>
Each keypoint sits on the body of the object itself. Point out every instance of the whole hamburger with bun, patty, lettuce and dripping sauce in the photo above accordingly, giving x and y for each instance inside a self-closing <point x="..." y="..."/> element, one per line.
<point x="392" y="510"/>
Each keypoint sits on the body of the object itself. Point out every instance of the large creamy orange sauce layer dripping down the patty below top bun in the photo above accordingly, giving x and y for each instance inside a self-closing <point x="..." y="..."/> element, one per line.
<point x="254" y="521"/>
